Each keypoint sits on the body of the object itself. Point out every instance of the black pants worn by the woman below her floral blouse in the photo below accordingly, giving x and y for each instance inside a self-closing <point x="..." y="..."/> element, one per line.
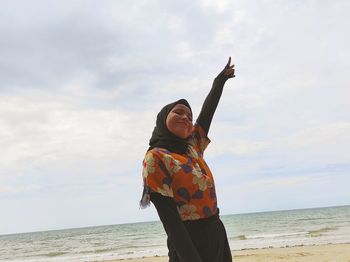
<point x="210" y="239"/>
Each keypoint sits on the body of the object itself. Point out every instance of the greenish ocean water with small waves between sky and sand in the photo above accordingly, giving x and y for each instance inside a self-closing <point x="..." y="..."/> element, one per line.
<point x="245" y="231"/>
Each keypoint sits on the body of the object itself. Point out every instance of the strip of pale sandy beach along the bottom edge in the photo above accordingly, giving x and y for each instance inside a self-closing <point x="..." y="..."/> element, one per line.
<point x="321" y="253"/>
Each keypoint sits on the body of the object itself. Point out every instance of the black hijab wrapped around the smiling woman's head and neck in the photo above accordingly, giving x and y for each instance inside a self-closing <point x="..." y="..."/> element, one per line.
<point x="162" y="137"/>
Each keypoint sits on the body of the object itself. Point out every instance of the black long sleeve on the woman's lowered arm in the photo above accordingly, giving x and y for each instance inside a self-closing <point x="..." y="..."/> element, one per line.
<point x="175" y="229"/>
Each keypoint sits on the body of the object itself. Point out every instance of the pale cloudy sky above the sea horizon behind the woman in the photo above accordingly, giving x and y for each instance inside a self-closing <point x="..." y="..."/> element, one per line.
<point x="81" y="83"/>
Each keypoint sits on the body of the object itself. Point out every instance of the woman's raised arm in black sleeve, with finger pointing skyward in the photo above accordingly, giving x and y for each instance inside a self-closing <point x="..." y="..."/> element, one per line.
<point x="209" y="106"/>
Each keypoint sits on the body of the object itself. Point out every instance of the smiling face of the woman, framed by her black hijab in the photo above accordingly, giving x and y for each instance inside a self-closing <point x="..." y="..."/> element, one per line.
<point x="179" y="121"/>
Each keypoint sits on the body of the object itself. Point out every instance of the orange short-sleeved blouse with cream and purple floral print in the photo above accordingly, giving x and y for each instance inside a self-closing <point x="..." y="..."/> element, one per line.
<point x="184" y="177"/>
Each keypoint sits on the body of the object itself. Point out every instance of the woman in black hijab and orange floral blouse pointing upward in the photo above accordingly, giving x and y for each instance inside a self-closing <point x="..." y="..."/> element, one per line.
<point x="179" y="183"/>
